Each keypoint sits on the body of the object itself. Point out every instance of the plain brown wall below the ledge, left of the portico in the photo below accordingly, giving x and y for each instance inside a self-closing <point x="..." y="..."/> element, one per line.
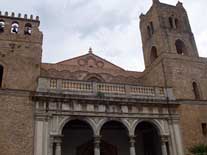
<point x="17" y="123"/>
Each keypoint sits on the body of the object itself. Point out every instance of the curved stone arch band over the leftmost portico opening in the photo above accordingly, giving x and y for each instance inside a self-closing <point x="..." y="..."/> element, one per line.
<point x="66" y="120"/>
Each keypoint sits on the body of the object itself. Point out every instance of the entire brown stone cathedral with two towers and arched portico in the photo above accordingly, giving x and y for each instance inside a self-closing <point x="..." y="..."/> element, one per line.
<point x="89" y="106"/>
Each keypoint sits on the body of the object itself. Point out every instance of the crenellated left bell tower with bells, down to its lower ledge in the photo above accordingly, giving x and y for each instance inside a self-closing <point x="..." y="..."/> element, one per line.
<point x="20" y="51"/>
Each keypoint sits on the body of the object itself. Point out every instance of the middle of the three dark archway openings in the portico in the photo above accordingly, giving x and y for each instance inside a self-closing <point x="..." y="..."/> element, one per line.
<point x="114" y="139"/>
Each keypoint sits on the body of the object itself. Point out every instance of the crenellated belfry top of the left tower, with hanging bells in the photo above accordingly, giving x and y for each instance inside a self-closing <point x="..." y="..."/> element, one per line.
<point x="17" y="27"/>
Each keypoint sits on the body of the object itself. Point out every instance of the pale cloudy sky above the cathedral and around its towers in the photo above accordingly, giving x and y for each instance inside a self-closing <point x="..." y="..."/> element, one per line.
<point x="110" y="27"/>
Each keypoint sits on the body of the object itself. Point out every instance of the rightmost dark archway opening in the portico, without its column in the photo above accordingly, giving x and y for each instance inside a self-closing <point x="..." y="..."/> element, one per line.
<point x="147" y="139"/>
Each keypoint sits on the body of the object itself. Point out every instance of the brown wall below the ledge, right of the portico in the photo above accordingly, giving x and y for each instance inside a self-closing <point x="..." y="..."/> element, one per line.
<point x="191" y="118"/>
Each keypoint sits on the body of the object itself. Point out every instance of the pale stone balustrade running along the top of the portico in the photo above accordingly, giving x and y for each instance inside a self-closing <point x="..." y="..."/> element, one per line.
<point x="104" y="89"/>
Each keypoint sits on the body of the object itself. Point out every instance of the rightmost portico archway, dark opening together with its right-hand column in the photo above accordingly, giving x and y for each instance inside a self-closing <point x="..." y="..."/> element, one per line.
<point x="150" y="138"/>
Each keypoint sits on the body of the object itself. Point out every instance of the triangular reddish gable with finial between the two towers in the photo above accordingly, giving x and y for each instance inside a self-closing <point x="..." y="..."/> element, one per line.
<point x="90" y="60"/>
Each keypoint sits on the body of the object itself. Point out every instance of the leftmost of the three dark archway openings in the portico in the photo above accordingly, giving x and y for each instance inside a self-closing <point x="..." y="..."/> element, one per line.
<point x="78" y="138"/>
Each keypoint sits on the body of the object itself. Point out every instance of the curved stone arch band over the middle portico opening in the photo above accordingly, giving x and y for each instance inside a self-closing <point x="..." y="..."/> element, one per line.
<point x="125" y="123"/>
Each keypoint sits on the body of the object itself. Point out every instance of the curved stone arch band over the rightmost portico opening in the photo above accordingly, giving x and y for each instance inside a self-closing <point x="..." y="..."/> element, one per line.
<point x="155" y="124"/>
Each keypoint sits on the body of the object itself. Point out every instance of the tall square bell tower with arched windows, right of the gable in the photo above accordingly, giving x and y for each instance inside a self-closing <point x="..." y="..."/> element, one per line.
<point x="165" y="29"/>
